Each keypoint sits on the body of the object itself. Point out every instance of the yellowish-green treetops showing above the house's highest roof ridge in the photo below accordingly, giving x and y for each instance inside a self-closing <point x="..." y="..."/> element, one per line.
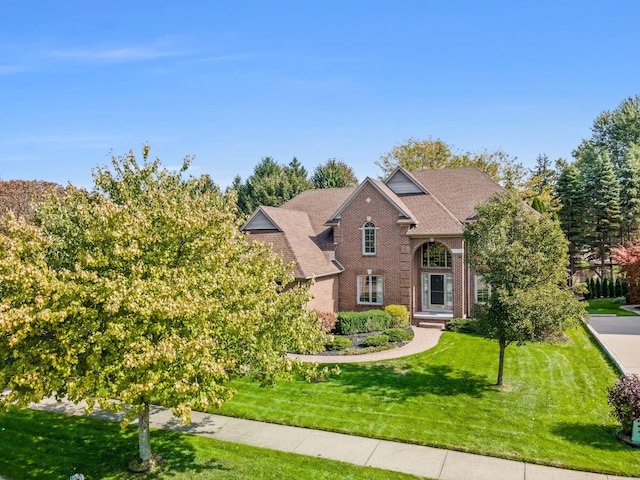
<point x="431" y="154"/>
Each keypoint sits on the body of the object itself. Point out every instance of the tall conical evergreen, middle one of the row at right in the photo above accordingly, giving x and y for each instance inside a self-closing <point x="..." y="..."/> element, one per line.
<point x="603" y="209"/>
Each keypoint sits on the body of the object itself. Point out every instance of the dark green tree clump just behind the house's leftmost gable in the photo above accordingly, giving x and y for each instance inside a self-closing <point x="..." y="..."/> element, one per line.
<point x="270" y="184"/>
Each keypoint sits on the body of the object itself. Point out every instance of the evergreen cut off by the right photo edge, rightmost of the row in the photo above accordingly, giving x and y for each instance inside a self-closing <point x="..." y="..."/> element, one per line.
<point x="629" y="174"/>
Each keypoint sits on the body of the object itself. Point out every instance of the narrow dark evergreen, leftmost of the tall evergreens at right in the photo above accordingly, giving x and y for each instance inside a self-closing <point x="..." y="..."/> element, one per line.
<point x="570" y="192"/>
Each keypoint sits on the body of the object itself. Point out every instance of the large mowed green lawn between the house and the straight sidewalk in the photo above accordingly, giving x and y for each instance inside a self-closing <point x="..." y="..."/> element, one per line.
<point x="553" y="409"/>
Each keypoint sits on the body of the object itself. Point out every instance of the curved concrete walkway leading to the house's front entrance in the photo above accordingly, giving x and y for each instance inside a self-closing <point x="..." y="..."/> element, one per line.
<point x="423" y="339"/>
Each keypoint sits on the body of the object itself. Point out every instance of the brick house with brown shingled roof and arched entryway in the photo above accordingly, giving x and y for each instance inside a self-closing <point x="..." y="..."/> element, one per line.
<point x="381" y="243"/>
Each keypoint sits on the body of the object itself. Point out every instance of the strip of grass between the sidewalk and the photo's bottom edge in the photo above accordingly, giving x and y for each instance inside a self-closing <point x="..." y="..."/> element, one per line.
<point x="42" y="445"/>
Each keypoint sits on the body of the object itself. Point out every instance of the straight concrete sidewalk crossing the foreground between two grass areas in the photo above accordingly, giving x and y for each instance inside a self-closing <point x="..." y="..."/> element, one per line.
<point x="412" y="459"/>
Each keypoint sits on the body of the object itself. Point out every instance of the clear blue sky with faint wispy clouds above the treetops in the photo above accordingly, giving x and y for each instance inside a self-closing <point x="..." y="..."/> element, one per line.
<point x="232" y="82"/>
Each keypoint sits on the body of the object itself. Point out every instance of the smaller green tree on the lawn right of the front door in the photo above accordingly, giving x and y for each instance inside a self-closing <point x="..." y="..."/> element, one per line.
<point x="523" y="257"/>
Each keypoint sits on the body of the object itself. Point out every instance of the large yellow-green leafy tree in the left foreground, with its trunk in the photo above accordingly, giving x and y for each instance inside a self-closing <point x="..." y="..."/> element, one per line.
<point x="144" y="288"/>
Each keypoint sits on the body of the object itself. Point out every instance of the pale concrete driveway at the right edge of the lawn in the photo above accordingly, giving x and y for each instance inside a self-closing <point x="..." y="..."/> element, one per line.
<point x="621" y="335"/>
